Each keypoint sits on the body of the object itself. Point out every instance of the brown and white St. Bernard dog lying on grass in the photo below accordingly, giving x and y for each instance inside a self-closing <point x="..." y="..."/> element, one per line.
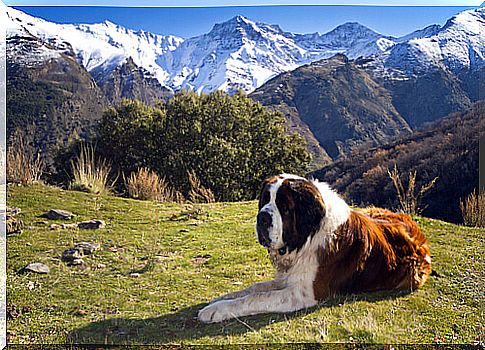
<point x="321" y="247"/>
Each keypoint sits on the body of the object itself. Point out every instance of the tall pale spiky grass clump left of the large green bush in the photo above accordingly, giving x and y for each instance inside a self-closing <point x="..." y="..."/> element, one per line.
<point x="90" y="174"/>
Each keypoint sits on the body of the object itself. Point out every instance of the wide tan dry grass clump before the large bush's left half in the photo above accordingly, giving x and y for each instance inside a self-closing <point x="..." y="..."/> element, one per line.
<point x="145" y="184"/>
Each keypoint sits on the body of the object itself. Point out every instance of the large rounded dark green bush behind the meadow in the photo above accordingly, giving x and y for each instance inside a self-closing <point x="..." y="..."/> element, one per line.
<point x="231" y="143"/>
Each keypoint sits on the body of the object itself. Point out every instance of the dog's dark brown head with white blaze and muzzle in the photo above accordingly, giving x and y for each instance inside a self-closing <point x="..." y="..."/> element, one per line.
<point x="291" y="209"/>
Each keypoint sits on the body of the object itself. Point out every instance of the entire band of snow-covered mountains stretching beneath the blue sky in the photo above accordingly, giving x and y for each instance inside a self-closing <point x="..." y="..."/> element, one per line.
<point x="243" y="54"/>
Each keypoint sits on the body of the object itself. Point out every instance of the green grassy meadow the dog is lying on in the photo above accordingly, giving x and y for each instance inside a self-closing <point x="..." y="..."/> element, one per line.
<point x="186" y="256"/>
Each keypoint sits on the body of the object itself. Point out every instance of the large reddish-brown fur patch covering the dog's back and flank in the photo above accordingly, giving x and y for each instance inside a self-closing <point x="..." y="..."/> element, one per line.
<point x="374" y="250"/>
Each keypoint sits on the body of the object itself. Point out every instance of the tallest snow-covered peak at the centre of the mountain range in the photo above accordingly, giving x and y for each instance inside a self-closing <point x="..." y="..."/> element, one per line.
<point x="237" y="54"/>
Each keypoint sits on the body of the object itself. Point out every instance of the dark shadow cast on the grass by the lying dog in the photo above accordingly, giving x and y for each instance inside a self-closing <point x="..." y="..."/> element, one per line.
<point x="182" y="325"/>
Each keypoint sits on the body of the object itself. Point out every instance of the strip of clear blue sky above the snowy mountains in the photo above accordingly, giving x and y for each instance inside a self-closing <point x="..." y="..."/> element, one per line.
<point x="190" y="21"/>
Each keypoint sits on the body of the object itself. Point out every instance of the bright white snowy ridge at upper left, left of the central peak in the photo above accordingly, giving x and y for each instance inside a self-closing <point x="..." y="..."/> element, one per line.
<point x="98" y="46"/>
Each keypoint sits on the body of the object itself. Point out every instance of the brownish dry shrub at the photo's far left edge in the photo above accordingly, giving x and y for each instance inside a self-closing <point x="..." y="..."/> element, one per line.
<point x="22" y="166"/>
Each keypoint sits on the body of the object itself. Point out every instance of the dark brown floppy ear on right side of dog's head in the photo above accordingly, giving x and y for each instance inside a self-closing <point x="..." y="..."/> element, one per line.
<point x="309" y="208"/>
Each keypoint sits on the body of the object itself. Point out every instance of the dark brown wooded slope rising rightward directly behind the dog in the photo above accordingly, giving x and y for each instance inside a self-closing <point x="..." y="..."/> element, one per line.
<point x="447" y="149"/>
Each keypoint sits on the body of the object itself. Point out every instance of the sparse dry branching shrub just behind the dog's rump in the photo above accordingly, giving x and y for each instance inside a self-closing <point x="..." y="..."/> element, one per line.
<point x="409" y="199"/>
